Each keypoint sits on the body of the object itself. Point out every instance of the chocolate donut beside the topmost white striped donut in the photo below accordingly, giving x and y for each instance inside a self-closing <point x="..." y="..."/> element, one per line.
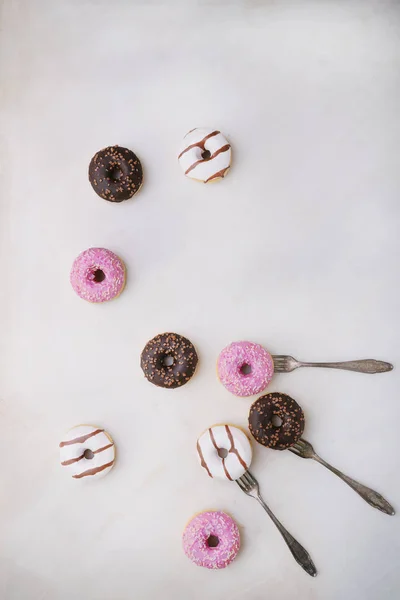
<point x="115" y="173"/>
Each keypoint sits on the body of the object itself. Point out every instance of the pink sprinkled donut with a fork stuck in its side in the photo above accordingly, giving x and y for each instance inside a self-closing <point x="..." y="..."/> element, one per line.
<point x="245" y="368"/>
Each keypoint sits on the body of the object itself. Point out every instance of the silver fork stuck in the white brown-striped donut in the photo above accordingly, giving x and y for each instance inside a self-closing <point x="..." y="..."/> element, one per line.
<point x="249" y="485"/>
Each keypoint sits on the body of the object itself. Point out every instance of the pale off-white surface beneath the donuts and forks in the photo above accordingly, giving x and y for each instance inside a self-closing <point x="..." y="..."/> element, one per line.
<point x="296" y="249"/>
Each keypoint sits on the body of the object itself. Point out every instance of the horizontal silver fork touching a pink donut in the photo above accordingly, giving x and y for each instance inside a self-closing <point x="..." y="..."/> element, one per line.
<point x="286" y="364"/>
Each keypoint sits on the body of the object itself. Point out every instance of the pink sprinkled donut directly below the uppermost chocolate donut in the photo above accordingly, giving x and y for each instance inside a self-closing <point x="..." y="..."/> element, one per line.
<point x="98" y="275"/>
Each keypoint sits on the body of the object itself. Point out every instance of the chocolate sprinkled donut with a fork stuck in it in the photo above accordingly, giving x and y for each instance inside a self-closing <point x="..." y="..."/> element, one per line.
<point x="276" y="421"/>
